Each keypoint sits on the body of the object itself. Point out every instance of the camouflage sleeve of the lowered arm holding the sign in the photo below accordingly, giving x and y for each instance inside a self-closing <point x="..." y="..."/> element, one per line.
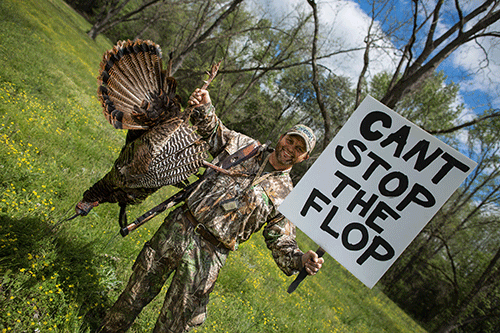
<point x="279" y="234"/>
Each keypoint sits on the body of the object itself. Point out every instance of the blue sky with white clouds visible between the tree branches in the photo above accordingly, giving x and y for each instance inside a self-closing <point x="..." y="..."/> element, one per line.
<point x="347" y="21"/>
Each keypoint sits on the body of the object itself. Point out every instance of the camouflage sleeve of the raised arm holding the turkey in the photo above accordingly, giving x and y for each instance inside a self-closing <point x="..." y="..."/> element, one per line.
<point x="211" y="128"/>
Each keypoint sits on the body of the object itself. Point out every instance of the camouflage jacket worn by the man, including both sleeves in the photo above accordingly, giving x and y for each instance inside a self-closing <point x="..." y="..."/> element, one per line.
<point x="232" y="208"/>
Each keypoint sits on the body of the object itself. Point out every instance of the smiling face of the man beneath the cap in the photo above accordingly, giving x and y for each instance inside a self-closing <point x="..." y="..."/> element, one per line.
<point x="290" y="150"/>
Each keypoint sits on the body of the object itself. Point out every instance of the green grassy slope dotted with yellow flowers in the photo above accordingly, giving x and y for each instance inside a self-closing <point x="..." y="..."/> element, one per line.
<point x="54" y="144"/>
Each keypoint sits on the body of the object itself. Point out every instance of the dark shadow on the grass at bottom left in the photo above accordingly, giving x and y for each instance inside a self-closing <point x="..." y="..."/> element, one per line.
<point x="83" y="275"/>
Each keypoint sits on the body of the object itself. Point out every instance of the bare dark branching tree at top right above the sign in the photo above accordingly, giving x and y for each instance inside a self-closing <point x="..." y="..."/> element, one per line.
<point x="427" y="47"/>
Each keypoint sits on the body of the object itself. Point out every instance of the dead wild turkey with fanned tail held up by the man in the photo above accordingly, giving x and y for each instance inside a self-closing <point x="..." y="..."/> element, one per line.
<point x="161" y="147"/>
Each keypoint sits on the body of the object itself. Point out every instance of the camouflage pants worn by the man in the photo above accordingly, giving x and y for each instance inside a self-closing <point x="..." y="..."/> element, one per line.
<point x="174" y="247"/>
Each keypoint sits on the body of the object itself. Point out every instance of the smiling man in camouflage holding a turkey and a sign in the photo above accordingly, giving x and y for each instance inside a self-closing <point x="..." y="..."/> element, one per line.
<point x="221" y="212"/>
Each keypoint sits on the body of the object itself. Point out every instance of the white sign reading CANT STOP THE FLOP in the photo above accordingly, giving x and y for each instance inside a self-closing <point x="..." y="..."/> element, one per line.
<point x="373" y="189"/>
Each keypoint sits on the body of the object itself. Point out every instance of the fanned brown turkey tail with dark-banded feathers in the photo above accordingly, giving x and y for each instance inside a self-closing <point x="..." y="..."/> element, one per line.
<point x="133" y="89"/>
